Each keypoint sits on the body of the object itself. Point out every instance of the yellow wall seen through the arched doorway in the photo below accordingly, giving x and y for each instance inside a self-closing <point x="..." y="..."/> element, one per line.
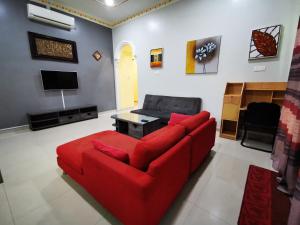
<point x="127" y="78"/>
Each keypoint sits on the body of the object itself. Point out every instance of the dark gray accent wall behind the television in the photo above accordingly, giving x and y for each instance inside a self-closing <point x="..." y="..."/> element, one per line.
<point x="20" y="83"/>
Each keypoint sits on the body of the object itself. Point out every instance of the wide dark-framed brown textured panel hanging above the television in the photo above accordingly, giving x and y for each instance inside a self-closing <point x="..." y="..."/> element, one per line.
<point x="51" y="48"/>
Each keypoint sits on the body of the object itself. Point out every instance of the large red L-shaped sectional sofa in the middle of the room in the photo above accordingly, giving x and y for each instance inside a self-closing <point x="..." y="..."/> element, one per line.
<point x="141" y="191"/>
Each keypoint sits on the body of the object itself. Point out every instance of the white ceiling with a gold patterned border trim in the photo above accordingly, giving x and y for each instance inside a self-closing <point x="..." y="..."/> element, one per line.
<point x="109" y="16"/>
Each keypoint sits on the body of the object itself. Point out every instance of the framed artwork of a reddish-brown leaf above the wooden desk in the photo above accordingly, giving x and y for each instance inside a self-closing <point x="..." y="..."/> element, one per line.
<point x="265" y="42"/>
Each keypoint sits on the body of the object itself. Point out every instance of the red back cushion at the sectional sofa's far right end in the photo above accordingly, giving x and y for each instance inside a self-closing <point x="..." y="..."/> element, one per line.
<point x="195" y="121"/>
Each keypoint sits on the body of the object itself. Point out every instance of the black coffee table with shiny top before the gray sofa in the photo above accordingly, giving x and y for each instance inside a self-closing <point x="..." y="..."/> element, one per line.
<point x="136" y="125"/>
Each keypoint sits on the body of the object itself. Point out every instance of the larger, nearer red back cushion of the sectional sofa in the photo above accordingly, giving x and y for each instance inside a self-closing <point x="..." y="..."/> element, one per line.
<point x="149" y="149"/>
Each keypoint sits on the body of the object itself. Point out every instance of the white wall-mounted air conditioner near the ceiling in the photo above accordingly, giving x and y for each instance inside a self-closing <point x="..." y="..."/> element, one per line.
<point x="51" y="17"/>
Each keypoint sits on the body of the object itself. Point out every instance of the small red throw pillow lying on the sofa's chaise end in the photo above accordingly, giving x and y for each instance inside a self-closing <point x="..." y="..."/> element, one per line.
<point x="111" y="151"/>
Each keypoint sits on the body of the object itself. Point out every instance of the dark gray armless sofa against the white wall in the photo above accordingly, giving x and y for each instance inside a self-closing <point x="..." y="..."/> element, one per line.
<point x="162" y="106"/>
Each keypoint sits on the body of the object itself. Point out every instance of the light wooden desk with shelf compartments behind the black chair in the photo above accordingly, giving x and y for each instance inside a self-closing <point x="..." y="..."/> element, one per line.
<point x="238" y="95"/>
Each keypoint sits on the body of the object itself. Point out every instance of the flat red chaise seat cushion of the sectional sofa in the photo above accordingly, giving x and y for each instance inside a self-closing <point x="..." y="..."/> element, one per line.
<point x="71" y="152"/>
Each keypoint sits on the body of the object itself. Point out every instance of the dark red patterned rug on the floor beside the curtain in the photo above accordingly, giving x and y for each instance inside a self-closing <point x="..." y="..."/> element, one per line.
<point x="262" y="203"/>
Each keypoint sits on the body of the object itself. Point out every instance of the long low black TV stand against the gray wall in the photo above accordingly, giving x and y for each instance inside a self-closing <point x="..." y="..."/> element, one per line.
<point x="39" y="121"/>
